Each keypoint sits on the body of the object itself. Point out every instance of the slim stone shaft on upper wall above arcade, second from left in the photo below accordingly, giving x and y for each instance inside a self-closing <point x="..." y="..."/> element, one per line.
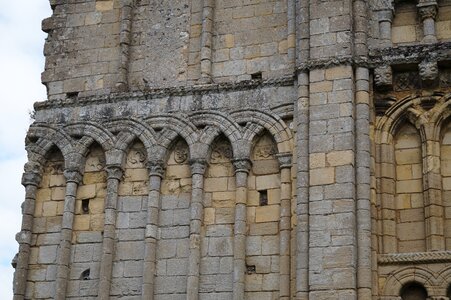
<point x="206" y="50"/>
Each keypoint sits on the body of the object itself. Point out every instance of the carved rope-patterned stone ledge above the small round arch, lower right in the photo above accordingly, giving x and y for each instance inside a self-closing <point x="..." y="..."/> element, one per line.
<point x="414" y="258"/>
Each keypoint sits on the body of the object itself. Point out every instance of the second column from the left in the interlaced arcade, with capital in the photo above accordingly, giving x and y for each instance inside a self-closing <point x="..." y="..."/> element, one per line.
<point x="73" y="178"/>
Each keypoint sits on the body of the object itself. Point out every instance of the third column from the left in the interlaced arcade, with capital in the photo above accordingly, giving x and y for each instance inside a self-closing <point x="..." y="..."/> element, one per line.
<point x="114" y="174"/>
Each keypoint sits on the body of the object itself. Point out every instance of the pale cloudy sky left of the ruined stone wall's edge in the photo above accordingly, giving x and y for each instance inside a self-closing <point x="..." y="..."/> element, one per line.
<point x="21" y="62"/>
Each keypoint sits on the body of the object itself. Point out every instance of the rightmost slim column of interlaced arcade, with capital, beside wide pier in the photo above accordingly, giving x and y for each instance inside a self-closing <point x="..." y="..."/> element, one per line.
<point x="285" y="225"/>
